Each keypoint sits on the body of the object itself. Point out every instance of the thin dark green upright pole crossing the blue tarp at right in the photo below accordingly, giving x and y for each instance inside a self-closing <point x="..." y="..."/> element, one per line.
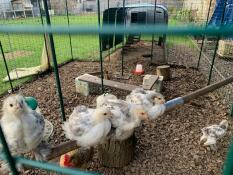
<point x="216" y="47"/>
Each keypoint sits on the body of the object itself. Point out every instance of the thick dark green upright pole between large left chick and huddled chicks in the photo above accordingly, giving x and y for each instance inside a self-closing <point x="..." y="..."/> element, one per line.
<point x="55" y="63"/>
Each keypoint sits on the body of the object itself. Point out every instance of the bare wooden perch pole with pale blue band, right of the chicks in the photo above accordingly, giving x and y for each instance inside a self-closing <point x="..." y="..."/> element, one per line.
<point x="181" y="100"/>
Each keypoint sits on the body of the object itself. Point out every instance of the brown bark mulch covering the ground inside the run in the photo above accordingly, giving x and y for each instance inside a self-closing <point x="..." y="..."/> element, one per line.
<point x="167" y="145"/>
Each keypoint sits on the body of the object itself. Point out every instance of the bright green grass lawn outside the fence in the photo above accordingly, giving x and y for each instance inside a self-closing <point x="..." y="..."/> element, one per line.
<point x="84" y="47"/>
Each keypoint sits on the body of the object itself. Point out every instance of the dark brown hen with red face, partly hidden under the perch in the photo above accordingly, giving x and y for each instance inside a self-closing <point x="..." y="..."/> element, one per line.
<point x="77" y="158"/>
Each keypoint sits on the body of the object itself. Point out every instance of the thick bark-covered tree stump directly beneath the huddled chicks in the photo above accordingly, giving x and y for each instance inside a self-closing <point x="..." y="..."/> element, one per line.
<point x="115" y="154"/>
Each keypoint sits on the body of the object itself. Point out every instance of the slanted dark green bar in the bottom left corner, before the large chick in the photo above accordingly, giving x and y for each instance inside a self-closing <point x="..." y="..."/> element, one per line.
<point x="7" y="154"/>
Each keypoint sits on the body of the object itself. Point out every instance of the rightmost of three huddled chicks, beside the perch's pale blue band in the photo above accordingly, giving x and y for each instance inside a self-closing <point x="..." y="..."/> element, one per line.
<point x="151" y="101"/>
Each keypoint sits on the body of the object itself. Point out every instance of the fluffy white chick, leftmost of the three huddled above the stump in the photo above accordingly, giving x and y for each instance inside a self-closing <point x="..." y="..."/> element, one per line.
<point x="87" y="126"/>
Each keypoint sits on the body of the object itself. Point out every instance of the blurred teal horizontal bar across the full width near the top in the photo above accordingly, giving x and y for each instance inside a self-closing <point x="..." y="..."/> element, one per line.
<point x="118" y="29"/>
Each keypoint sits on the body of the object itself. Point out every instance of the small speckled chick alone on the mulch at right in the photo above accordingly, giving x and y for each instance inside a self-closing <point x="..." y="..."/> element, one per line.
<point x="213" y="133"/>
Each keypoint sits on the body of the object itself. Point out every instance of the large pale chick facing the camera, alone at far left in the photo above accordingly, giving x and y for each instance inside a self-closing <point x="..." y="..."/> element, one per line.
<point x="23" y="128"/>
